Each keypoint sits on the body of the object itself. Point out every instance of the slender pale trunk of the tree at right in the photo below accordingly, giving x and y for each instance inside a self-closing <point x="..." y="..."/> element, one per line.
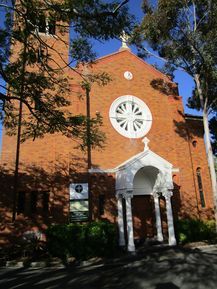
<point x="208" y="146"/>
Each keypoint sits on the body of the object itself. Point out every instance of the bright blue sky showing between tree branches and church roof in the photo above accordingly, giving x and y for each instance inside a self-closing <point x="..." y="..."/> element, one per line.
<point x="184" y="81"/>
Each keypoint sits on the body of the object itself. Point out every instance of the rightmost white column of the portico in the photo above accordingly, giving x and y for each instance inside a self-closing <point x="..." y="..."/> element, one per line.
<point x="172" y="239"/>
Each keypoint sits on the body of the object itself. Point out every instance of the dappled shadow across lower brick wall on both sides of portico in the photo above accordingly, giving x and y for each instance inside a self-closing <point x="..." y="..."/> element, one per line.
<point x="46" y="200"/>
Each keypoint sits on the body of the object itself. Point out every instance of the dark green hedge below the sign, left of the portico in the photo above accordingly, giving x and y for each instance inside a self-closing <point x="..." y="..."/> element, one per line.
<point x="82" y="240"/>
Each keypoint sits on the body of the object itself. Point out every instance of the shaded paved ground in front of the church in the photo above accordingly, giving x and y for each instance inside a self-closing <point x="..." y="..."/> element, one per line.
<point x="172" y="268"/>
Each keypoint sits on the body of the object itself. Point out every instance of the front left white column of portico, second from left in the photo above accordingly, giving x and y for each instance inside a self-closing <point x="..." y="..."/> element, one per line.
<point x="130" y="245"/>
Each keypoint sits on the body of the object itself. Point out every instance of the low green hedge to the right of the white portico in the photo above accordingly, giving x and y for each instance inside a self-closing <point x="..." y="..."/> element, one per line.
<point x="193" y="230"/>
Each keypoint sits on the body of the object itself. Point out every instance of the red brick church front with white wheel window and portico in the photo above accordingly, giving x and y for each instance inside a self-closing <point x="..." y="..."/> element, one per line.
<point x="151" y="171"/>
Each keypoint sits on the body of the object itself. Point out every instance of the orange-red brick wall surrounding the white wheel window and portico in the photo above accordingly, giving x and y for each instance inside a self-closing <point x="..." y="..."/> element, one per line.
<point x="53" y="162"/>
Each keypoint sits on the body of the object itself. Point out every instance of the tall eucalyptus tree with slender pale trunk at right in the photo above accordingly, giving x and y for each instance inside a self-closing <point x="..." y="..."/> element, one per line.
<point x="184" y="33"/>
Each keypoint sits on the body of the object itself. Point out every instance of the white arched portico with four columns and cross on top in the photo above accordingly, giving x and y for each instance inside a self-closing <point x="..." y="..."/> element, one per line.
<point x="144" y="174"/>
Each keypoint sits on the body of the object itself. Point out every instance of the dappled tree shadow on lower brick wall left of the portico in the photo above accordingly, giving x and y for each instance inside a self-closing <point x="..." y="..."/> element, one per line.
<point x="43" y="196"/>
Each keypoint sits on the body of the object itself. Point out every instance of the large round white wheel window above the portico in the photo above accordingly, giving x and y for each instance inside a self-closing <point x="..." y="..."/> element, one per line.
<point x="130" y="116"/>
